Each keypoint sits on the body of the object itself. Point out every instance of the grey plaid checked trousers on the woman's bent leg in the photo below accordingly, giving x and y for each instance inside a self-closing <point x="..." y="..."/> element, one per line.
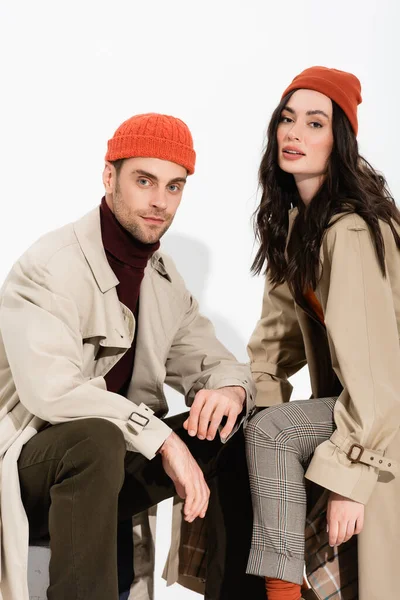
<point x="280" y="442"/>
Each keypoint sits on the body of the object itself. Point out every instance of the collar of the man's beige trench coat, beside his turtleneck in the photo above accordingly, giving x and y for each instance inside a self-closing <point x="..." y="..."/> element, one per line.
<point x="88" y="233"/>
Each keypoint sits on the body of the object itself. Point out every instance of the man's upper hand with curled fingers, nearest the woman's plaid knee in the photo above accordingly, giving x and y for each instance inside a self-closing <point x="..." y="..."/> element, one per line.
<point x="210" y="407"/>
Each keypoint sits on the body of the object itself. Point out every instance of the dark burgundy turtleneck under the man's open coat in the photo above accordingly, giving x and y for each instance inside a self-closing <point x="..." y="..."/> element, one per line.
<point x="128" y="258"/>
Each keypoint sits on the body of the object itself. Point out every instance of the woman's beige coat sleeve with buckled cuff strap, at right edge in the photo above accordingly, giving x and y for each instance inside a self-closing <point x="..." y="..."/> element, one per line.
<point x="362" y="331"/>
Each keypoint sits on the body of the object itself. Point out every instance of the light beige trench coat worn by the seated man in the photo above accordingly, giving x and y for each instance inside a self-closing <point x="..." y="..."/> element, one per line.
<point x="62" y="328"/>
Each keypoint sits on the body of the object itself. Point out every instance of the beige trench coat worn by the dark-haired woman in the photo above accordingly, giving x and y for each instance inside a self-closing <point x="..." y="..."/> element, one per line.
<point x="361" y="346"/>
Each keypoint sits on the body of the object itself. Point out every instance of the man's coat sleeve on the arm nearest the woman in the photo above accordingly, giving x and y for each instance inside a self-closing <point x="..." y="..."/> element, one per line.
<point x="198" y="360"/>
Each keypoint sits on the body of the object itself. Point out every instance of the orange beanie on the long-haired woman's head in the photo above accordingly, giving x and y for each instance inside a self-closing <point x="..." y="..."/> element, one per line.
<point x="344" y="88"/>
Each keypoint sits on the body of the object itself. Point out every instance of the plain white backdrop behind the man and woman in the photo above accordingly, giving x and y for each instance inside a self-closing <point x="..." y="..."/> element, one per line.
<point x="73" y="71"/>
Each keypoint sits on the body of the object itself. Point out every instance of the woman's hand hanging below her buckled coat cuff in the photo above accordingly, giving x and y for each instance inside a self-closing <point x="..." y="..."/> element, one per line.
<point x="345" y="518"/>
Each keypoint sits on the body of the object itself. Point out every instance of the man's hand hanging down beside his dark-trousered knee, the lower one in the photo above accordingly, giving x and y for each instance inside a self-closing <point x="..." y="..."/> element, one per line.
<point x="187" y="476"/>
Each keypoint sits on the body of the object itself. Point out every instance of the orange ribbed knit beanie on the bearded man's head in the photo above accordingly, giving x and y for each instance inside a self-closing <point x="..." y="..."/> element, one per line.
<point x="153" y="136"/>
